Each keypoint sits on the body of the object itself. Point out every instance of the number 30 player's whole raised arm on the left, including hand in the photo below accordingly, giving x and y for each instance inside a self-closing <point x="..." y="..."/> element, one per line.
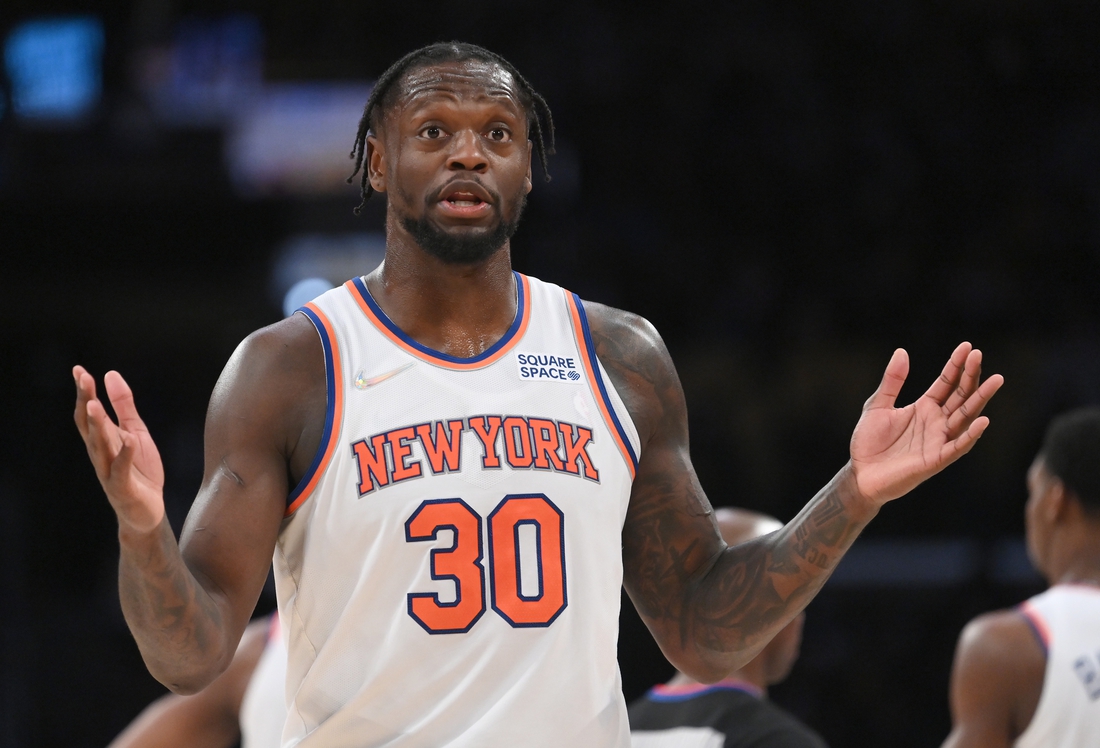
<point x="188" y="604"/>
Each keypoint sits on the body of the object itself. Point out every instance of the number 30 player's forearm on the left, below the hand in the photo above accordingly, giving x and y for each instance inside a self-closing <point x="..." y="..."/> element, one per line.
<point x="177" y="623"/>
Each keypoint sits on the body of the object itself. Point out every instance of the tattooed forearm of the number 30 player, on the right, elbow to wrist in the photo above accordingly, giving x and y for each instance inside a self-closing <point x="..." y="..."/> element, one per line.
<point x="754" y="590"/>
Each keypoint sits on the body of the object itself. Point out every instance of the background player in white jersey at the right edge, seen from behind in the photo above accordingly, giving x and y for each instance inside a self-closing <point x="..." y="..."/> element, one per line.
<point x="1030" y="677"/>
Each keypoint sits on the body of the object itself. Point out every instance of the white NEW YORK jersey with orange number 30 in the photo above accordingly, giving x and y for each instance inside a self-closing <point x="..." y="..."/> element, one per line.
<point x="450" y="568"/>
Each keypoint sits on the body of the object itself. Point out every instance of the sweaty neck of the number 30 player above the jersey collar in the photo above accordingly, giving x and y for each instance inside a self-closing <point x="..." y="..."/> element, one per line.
<point x="459" y="310"/>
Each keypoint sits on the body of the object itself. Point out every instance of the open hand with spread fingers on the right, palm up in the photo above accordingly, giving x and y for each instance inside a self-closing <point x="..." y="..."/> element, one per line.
<point x="896" y="449"/>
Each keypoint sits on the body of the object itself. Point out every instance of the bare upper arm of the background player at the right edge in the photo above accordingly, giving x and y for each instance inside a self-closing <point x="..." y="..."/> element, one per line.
<point x="996" y="681"/>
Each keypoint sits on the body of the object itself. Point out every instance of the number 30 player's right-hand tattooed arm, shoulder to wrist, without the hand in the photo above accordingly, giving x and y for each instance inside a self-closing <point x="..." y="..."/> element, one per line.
<point x="710" y="608"/>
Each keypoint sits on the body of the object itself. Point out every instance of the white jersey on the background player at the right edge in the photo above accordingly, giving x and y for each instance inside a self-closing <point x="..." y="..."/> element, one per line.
<point x="1066" y="620"/>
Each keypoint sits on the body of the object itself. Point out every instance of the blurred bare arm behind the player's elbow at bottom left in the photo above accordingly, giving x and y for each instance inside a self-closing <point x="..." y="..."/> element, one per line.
<point x="212" y="717"/>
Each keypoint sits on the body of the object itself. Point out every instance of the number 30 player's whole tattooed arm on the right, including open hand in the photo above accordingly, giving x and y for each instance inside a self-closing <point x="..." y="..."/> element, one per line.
<point x="712" y="609"/>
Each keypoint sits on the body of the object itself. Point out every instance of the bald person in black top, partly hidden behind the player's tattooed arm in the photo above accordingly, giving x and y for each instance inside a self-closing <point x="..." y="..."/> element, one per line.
<point x="735" y="712"/>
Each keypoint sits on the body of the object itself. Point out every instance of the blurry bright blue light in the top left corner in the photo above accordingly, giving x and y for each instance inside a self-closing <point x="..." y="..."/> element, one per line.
<point x="54" y="67"/>
